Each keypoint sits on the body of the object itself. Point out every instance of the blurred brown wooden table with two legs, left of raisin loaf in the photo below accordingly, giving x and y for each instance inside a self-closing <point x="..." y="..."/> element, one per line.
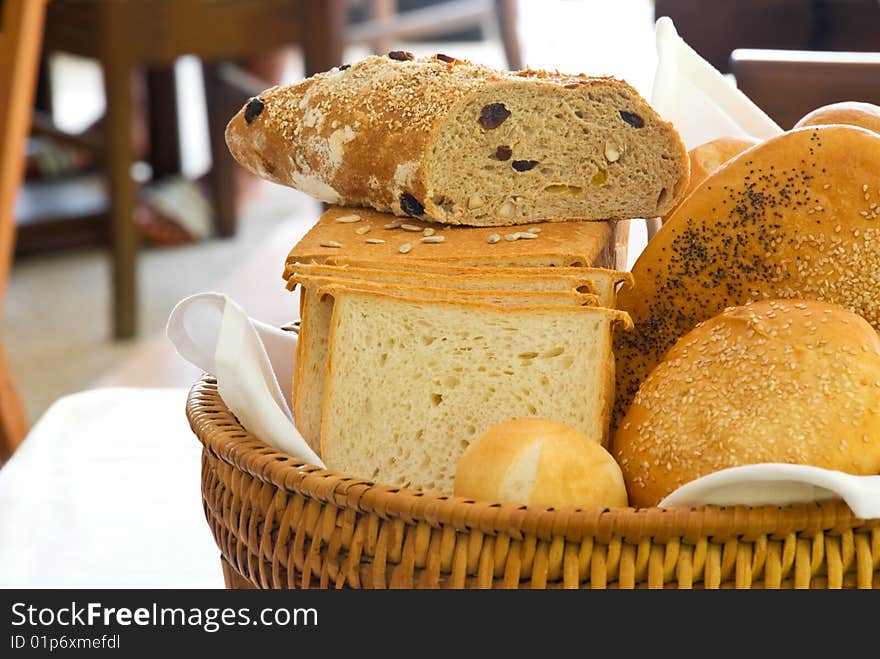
<point x="127" y="35"/>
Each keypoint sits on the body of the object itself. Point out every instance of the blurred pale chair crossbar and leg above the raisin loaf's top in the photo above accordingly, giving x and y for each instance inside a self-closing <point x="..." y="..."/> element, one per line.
<point x="386" y="26"/>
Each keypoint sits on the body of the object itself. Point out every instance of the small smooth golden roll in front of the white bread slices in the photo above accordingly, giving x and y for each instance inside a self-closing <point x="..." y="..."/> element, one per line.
<point x="539" y="463"/>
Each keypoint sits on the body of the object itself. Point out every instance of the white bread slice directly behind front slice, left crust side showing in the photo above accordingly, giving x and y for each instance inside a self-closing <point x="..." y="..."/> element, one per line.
<point x="316" y="312"/>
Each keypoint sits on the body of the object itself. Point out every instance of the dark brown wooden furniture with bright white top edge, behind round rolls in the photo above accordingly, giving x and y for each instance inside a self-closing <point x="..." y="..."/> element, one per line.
<point x="787" y="84"/>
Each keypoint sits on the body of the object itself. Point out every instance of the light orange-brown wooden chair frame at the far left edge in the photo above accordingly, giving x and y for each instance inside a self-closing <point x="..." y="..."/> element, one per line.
<point x="20" y="33"/>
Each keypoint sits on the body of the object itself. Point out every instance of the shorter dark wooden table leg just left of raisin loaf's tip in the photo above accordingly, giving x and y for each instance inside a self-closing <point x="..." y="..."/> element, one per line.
<point x="222" y="104"/>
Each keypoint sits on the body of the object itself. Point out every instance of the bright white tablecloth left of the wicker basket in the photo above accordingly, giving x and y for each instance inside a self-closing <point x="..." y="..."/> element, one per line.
<point x="105" y="492"/>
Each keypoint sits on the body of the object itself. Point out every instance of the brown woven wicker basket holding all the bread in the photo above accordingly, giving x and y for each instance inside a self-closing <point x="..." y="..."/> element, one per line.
<point x="280" y="523"/>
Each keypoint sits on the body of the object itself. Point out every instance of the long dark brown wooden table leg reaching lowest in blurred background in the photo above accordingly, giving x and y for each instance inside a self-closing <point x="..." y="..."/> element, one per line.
<point x="123" y="236"/>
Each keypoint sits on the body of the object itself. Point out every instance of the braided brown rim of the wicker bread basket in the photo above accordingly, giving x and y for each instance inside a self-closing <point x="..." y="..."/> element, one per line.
<point x="221" y="434"/>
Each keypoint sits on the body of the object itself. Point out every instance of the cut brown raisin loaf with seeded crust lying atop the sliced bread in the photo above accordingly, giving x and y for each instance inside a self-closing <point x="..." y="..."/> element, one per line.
<point x="459" y="143"/>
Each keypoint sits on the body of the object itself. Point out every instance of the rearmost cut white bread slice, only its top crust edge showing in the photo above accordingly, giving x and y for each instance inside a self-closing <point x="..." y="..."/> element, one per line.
<point x="603" y="282"/>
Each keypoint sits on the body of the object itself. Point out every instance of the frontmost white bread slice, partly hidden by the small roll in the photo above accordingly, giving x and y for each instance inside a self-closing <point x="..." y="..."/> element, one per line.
<point x="412" y="381"/>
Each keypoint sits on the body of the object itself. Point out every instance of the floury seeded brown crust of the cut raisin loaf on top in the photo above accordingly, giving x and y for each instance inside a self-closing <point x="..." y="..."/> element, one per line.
<point x="363" y="135"/>
